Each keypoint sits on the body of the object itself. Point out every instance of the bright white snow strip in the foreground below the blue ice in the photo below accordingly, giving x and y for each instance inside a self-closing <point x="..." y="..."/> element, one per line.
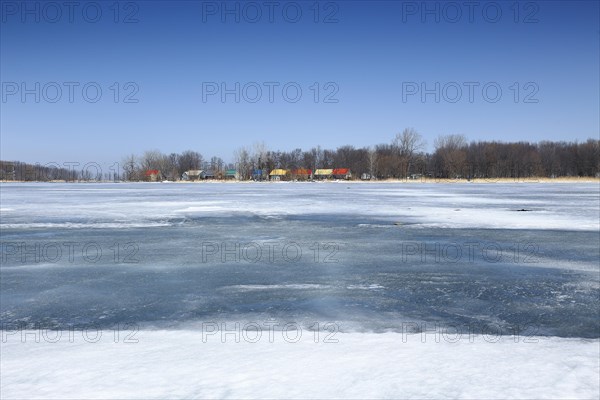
<point x="167" y="364"/>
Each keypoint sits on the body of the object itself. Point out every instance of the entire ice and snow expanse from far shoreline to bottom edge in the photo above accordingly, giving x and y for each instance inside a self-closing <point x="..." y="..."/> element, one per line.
<point x="314" y="290"/>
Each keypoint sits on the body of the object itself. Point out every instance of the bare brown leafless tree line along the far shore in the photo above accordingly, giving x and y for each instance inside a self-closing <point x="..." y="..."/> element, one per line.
<point x="404" y="157"/>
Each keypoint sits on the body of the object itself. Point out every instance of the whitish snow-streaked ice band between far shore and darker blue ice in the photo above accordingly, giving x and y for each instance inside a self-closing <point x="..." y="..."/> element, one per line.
<point x="553" y="206"/>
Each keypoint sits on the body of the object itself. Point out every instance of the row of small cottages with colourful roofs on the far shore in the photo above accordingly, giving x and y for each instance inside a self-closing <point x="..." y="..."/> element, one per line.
<point x="259" y="174"/>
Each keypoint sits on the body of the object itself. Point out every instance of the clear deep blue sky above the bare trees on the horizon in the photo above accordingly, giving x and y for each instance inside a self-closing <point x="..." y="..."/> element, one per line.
<point x="371" y="62"/>
